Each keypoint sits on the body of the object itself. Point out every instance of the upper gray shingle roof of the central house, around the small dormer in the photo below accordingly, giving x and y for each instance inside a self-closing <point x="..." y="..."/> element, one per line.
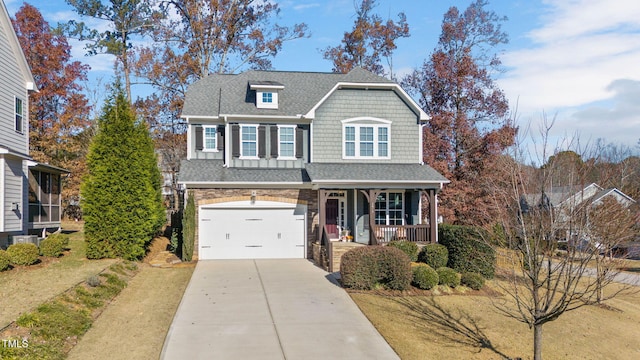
<point x="228" y="94"/>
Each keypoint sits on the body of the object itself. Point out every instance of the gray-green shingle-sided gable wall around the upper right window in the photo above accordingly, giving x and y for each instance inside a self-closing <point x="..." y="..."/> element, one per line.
<point x="351" y="103"/>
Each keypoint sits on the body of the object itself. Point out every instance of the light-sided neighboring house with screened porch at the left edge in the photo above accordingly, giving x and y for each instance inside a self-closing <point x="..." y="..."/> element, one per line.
<point x="29" y="191"/>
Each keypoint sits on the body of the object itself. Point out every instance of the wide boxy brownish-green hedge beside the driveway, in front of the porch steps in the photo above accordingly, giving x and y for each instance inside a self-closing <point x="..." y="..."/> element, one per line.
<point x="364" y="268"/>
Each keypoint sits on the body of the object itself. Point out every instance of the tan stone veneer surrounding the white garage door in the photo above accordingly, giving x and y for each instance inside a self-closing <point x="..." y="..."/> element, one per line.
<point x="304" y="196"/>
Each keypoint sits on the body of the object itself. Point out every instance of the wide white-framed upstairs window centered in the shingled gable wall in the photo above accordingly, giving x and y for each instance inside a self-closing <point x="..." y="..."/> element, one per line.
<point x="366" y="140"/>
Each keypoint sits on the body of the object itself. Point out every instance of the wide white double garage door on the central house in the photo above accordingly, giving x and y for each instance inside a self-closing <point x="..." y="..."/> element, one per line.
<point x="254" y="233"/>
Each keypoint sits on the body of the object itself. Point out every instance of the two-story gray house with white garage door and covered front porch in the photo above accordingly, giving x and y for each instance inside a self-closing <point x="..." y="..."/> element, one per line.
<point x="279" y="161"/>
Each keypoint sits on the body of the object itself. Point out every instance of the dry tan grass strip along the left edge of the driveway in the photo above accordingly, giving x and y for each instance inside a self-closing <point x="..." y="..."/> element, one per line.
<point x="135" y="324"/>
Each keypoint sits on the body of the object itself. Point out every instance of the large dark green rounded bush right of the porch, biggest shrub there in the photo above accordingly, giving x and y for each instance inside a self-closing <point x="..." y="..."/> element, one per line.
<point x="468" y="251"/>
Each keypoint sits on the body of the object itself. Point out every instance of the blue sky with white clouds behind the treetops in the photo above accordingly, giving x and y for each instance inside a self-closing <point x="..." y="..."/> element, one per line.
<point x="575" y="61"/>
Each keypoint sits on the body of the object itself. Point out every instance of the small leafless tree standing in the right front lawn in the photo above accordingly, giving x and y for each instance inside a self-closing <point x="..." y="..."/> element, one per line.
<point x="543" y="283"/>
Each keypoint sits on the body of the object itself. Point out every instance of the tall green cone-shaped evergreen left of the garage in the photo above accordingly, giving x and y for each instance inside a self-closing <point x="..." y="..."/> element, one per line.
<point x="121" y="198"/>
